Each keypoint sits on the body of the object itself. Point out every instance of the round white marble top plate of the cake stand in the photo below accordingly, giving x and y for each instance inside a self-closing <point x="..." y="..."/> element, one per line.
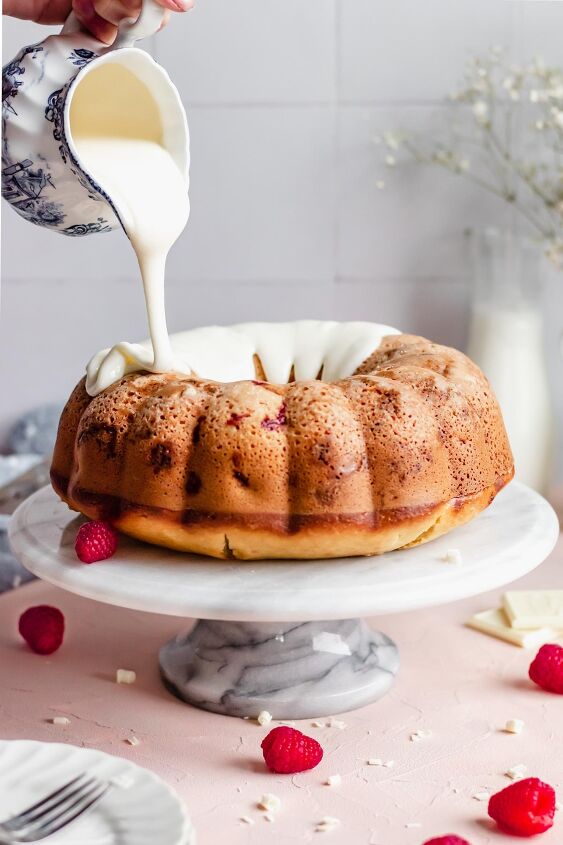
<point x="509" y="539"/>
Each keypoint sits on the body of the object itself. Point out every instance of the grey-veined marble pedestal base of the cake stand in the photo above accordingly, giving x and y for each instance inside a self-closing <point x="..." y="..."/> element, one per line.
<point x="295" y="670"/>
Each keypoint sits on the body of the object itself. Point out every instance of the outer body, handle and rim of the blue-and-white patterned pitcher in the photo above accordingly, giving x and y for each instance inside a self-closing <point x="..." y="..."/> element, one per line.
<point x="42" y="176"/>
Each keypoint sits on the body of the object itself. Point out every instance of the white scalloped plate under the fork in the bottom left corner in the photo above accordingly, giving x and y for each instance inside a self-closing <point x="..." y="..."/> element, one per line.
<point x="148" y="812"/>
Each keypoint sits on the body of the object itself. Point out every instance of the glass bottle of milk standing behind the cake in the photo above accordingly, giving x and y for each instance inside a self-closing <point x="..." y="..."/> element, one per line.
<point x="506" y="339"/>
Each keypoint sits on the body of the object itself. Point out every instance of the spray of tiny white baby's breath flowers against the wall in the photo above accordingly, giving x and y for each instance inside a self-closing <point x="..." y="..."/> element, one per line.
<point x="492" y="89"/>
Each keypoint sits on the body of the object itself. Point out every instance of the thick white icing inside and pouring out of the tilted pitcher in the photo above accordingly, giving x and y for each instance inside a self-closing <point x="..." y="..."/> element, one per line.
<point x="117" y="134"/>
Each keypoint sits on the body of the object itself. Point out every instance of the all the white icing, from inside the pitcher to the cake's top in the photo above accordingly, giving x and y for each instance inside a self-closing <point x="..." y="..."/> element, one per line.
<point x="118" y="137"/>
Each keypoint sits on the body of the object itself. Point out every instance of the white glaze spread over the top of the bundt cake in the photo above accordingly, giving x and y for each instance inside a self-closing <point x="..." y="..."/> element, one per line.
<point x="226" y="353"/>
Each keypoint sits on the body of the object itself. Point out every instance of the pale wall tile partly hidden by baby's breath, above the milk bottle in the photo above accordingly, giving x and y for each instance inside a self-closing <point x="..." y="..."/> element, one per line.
<point x="411" y="227"/>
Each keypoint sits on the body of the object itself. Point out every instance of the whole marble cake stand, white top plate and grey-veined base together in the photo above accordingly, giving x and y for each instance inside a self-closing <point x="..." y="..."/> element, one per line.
<point x="263" y="641"/>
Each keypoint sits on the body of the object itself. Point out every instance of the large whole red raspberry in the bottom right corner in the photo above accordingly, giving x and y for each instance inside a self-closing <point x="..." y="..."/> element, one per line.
<point x="525" y="808"/>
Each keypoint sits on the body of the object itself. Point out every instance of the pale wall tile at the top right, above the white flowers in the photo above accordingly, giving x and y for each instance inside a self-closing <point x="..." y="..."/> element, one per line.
<point x="412" y="51"/>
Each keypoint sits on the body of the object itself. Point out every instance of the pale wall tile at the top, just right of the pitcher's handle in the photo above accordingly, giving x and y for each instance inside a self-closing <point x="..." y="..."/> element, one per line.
<point x="257" y="51"/>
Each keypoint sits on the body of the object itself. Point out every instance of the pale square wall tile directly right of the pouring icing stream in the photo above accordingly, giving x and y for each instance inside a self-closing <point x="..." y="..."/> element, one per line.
<point x="263" y="182"/>
